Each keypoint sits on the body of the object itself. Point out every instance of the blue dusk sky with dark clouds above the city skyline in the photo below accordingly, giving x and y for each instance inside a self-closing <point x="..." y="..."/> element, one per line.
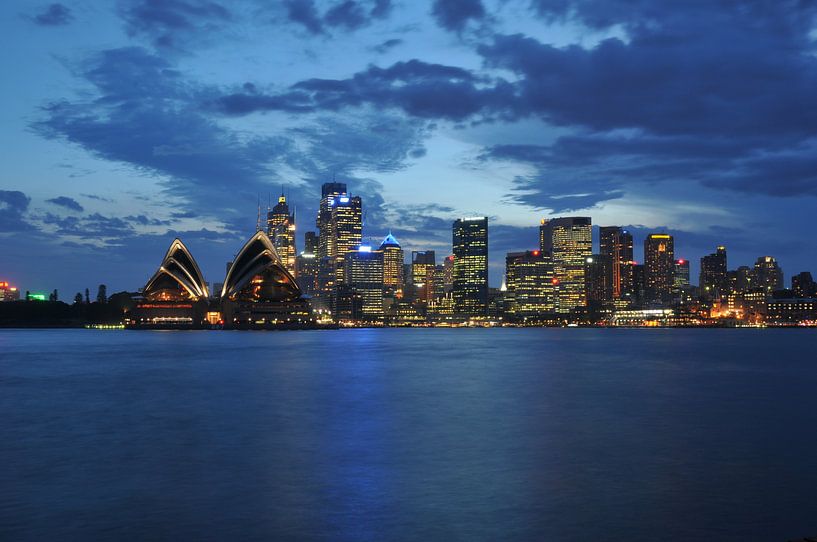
<point x="126" y="124"/>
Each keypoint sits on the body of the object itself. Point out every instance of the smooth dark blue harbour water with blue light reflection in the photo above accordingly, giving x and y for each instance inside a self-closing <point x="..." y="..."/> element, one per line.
<point x="408" y="434"/>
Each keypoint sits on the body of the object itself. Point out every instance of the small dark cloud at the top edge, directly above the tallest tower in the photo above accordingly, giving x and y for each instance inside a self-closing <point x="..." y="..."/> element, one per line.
<point x="345" y="15"/>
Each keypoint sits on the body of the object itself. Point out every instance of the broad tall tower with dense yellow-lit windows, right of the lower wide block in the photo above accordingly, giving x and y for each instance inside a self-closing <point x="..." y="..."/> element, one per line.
<point x="569" y="241"/>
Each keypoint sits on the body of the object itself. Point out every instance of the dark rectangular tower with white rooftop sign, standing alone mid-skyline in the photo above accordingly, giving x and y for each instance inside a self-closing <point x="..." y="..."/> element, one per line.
<point x="470" y="277"/>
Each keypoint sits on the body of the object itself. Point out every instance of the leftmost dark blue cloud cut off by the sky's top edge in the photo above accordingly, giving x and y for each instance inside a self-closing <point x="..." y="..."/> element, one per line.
<point x="171" y="23"/>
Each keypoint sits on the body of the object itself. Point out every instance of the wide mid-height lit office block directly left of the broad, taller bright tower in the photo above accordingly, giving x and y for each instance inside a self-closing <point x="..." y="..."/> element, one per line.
<point x="529" y="289"/>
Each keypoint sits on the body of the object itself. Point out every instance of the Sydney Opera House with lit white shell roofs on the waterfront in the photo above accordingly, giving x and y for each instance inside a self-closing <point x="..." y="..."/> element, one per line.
<point x="258" y="292"/>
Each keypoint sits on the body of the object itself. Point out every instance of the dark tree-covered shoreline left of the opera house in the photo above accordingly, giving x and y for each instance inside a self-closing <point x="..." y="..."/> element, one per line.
<point x="59" y="314"/>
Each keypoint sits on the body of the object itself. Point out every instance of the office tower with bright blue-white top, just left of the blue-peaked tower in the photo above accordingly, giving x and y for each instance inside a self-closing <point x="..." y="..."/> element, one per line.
<point x="363" y="275"/>
